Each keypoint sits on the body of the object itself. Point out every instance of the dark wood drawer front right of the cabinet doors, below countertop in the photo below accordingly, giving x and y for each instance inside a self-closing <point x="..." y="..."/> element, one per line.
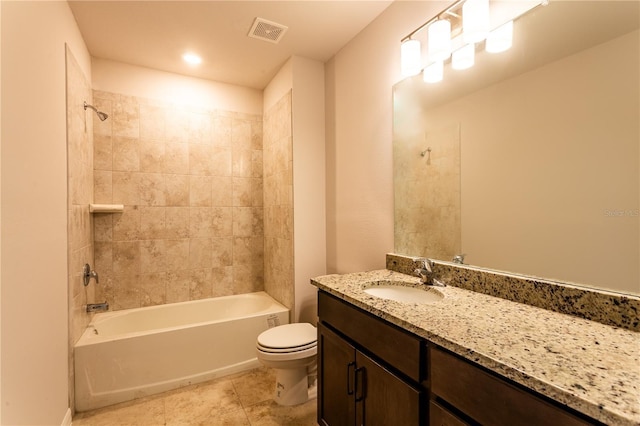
<point x="488" y="399"/>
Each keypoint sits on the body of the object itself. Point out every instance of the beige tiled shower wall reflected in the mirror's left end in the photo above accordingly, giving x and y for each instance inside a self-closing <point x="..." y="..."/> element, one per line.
<point x="426" y="186"/>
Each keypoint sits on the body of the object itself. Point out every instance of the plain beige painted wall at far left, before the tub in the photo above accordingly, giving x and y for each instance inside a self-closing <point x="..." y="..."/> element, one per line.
<point x="34" y="210"/>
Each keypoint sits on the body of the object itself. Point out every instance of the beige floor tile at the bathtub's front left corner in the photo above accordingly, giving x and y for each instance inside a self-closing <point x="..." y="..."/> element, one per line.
<point x="145" y="412"/>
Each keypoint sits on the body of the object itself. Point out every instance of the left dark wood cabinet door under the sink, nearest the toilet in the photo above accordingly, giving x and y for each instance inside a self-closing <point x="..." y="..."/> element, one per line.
<point x="336" y="374"/>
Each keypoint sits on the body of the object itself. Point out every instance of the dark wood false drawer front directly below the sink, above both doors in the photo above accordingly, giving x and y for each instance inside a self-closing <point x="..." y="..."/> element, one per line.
<point x="396" y="347"/>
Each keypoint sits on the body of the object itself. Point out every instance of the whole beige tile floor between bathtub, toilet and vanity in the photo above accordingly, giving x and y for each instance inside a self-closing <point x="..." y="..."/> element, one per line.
<point x="240" y="399"/>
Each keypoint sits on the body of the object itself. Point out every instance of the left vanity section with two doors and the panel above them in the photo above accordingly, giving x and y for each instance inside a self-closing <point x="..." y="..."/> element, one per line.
<point x="358" y="386"/>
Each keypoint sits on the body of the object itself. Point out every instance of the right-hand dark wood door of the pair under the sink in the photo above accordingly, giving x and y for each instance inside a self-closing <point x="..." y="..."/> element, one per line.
<point x="382" y="398"/>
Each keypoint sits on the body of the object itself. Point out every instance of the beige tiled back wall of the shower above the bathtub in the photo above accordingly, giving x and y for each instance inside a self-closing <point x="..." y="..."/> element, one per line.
<point x="191" y="183"/>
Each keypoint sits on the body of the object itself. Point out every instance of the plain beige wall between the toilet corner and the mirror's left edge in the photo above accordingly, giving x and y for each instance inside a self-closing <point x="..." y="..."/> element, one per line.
<point x="359" y="82"/>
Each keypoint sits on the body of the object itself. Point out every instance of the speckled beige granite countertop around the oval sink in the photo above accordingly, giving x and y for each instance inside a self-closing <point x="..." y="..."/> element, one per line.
<point x="591" y="367"/>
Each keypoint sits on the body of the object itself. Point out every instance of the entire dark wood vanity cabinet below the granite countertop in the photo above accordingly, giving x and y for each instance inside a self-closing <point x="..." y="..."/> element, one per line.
<point x="372" y="372"/>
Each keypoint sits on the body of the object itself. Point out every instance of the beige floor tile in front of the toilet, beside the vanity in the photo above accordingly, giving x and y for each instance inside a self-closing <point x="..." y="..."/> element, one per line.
<point x="269" y="413"/>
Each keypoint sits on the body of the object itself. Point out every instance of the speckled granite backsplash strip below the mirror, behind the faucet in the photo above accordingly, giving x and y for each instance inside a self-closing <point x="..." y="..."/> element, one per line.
<point x="606" y="307"/>
